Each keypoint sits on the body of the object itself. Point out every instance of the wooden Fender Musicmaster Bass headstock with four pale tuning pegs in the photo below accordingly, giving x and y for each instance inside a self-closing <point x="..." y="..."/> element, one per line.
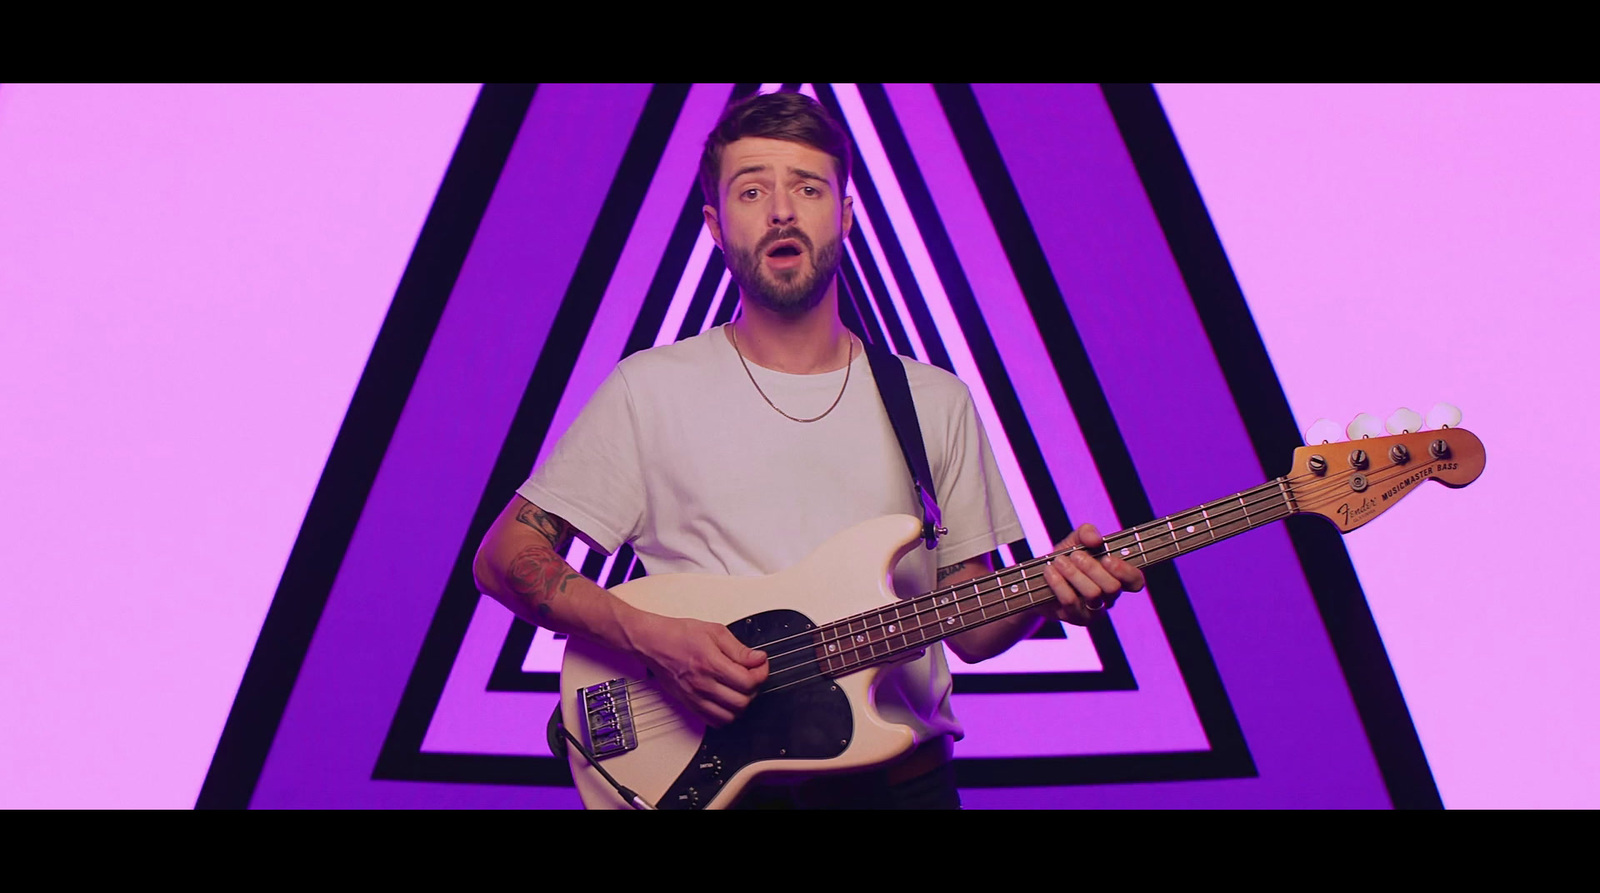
<point x="1356" y="481"/>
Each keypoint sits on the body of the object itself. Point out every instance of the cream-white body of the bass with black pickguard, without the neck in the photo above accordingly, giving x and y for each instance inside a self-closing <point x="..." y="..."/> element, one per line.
<point x="681" y="763"/>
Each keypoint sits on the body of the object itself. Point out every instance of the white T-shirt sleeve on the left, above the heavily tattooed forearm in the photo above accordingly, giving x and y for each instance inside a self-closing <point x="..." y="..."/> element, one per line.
<point x="593" y="478"/>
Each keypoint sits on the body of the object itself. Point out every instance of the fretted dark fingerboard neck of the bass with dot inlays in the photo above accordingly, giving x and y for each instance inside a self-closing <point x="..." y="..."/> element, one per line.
<point x="887" y="635"/>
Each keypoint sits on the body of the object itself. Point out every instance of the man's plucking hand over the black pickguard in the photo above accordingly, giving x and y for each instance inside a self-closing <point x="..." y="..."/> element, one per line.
<point x="703" y="667"/>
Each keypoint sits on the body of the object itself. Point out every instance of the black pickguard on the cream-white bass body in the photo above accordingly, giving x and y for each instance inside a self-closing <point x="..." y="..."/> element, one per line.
<point x="810" y="721"/>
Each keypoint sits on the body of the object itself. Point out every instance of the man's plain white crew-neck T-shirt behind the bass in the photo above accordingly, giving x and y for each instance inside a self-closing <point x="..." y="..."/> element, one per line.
<point x="679" y="455"/>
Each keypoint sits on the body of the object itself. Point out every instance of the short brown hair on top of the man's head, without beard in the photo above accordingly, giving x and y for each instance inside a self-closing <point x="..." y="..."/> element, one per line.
<point x="793" y="118"/>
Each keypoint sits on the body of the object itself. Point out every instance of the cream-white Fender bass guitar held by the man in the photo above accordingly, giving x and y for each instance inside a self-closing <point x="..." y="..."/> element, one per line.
<point x="633" y="747"/>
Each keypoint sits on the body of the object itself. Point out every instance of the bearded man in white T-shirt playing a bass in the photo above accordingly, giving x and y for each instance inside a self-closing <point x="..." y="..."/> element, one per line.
<point x="740" y="451"/>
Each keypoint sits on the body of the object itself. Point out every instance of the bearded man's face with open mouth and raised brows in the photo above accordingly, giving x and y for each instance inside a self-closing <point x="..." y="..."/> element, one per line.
<point x="782" y="223"/>
